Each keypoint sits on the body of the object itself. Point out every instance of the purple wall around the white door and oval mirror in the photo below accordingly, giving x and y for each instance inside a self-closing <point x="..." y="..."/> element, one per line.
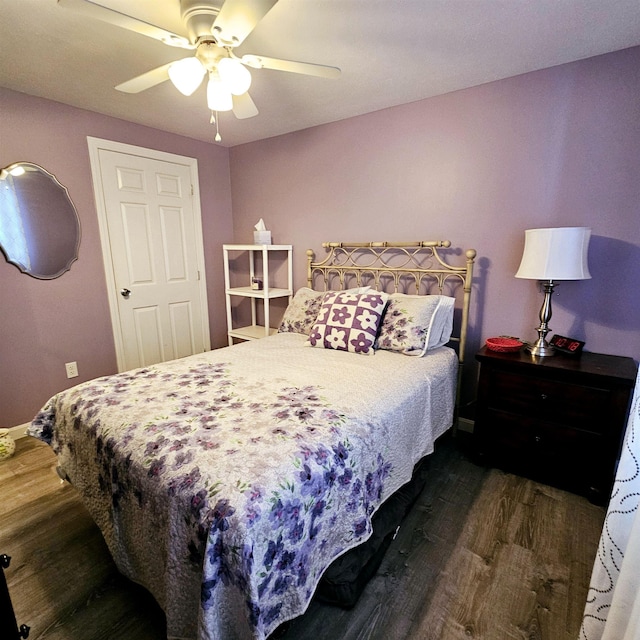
<point x="45" y="323"/>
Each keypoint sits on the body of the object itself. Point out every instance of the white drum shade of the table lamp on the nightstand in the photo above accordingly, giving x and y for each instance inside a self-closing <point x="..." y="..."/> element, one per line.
<point x="555" y="254"/>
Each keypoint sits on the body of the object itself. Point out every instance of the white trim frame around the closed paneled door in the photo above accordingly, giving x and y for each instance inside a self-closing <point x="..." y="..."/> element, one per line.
<point x="95" y="146"/>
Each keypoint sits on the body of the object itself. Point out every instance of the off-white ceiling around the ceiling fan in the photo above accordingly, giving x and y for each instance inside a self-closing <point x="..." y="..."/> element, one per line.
<point x="391" y="52"/>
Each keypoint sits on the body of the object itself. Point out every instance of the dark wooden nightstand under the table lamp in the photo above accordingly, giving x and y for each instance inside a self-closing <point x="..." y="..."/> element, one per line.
<point x="558" y="419"/>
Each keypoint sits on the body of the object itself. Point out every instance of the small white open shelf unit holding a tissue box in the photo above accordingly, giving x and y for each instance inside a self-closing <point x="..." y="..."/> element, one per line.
<point x="258" y="256"/>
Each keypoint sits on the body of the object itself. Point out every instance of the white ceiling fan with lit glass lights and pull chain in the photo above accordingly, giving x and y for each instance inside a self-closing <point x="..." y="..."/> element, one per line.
<point x="215" y="28"/>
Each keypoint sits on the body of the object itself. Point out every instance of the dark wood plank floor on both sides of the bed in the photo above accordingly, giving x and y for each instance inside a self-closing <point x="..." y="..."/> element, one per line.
<point x="483" y="554"/>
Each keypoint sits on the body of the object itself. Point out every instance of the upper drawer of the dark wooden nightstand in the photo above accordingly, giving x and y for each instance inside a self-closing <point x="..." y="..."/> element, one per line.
<point x="575" y="405"/>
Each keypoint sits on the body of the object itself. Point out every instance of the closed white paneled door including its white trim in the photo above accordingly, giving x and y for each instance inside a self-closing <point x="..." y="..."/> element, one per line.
<point x="151" y="217"/>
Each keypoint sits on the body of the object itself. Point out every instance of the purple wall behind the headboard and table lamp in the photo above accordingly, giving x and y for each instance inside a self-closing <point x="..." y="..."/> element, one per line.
<point x="558" y="147"/>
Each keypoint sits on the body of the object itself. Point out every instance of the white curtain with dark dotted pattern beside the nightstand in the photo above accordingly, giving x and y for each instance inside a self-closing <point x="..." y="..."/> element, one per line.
<point x="612" y="611"/>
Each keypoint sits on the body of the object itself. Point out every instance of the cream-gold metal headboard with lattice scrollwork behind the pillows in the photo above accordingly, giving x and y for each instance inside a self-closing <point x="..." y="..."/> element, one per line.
<point x="405" y="267"/>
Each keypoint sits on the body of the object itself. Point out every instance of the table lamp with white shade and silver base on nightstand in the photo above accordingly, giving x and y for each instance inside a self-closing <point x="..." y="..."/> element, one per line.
<point x="551" y="255"/>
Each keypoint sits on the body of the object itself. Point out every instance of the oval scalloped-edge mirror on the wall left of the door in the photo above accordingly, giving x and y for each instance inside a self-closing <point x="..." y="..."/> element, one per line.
<point x="39" y="225"/>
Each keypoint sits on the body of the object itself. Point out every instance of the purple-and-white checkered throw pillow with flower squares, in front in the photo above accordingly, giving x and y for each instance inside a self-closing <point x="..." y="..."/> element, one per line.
<point x="349" y="321"/>
